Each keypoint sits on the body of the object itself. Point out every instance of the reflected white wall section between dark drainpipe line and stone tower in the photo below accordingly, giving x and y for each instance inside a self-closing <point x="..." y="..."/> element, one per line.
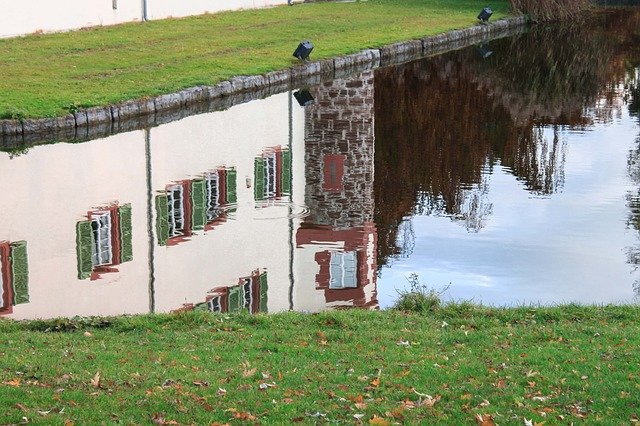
<point x="251" y="238"/>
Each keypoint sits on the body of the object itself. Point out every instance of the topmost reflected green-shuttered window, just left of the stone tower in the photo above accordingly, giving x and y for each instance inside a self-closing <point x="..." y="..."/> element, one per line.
<point x="272" y="174"/>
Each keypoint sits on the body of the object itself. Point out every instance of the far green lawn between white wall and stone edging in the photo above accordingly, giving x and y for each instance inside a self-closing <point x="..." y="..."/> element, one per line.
<point x="49" y="75"/>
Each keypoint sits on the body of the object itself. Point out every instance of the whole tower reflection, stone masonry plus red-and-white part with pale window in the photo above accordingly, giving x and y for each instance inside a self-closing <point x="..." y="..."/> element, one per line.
<point x="339" y="158"/>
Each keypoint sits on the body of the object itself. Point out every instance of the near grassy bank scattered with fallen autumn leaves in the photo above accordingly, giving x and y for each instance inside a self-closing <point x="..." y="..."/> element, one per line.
<point x="454" y="366"/>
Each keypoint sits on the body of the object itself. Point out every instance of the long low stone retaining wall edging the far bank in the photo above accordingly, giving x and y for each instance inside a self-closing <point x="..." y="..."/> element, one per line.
<point x="142" y="113"/>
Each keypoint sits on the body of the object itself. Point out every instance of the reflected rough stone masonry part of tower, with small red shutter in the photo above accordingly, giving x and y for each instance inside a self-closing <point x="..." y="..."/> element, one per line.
<point x="339" y="144"/>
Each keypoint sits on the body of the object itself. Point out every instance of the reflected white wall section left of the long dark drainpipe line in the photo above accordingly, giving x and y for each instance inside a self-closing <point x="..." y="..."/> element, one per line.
<point x="50" y="189"/>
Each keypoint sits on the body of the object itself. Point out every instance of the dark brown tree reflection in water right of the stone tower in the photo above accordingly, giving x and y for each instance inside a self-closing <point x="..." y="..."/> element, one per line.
<point x="443" y="123"/>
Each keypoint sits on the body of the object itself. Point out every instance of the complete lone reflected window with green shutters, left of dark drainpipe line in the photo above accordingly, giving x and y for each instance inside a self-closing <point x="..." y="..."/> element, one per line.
<point x="103" y="240"/>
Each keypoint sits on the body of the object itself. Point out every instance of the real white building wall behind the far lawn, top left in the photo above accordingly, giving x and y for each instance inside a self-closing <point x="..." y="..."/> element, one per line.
<point x="28" y="16"/>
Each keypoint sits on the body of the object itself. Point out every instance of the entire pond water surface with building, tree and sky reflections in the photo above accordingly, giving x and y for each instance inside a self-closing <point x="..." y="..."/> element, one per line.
<point x="506" y="173"/>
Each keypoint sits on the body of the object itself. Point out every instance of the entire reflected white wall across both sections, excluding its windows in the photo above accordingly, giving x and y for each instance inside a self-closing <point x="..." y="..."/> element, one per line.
<point x="52" y="187"/>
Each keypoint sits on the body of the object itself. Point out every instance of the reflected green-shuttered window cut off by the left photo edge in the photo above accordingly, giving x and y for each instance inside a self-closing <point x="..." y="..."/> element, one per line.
<point x="14" y="275"/>
